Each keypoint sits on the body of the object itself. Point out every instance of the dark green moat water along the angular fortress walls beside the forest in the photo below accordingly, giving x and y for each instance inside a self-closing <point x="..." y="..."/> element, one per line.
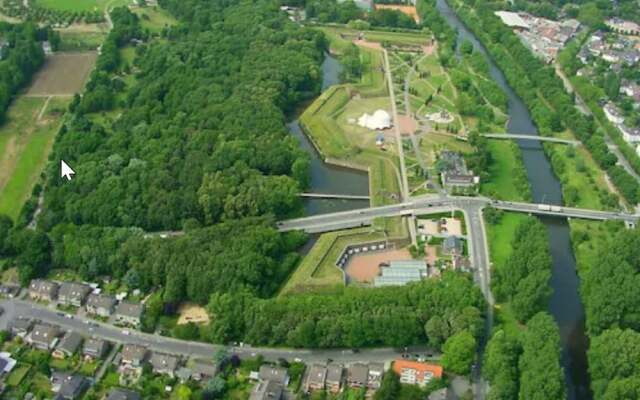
<point x="326" y="178"/>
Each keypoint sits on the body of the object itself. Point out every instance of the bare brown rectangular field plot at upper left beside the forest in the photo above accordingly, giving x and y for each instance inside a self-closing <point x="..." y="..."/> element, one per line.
<point x="63" y="74"/>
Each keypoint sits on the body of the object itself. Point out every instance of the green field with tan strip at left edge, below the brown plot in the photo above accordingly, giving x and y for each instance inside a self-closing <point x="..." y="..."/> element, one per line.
<point x="25" y="143"/>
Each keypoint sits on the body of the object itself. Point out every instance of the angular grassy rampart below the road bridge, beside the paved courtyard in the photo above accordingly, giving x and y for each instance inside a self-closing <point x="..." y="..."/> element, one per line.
<point x="318" y="270"/>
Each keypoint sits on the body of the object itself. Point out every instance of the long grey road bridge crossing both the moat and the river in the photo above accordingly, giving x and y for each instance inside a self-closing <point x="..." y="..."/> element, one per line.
<point x="421" y="205"/>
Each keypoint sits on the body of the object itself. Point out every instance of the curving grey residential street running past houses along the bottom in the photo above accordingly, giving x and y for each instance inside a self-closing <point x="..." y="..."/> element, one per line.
<point x="16" y="307"/>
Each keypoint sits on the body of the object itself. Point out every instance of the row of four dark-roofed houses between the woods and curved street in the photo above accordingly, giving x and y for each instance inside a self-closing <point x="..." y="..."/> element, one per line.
<point x="80" y="294"/>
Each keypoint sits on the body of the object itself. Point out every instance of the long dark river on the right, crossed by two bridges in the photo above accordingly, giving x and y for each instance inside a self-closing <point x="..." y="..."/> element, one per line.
<point x="565" y="304"/>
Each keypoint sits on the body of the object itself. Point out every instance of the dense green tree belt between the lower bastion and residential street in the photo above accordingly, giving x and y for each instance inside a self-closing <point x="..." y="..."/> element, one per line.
<point x="442" y="312"/>
